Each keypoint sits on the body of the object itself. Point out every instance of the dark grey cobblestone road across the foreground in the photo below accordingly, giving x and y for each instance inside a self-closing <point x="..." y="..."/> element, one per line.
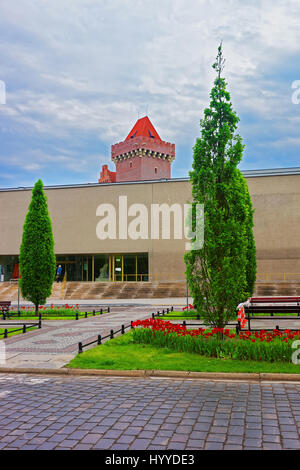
<point x="39" y="412"/>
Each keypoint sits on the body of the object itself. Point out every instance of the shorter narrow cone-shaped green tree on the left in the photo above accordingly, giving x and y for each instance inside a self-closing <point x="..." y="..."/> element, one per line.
<point x="37" y="258"/>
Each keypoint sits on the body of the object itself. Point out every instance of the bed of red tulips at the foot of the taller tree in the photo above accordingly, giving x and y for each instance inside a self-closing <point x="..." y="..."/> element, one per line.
<point x="222" y="343"/>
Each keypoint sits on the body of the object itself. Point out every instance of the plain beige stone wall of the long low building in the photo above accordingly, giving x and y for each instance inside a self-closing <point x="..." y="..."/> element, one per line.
<point x="73" y="212"/>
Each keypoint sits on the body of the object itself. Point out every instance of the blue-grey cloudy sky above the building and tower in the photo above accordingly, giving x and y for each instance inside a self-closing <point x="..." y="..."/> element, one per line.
<point x="78" y="73"/>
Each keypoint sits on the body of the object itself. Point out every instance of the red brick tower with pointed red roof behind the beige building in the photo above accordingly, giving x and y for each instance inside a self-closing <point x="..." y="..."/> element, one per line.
<point x="143" y="155"/>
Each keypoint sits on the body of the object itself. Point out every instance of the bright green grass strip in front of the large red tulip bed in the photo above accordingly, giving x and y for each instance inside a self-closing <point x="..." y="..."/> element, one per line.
<point x="122" y="354"/>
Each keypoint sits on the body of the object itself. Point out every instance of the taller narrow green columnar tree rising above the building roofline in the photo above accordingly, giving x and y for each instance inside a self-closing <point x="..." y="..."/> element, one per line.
<point x="221" y="274"/>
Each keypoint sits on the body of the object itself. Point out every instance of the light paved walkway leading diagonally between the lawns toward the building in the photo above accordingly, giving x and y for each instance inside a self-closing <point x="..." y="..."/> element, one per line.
<point x="57" y="342"/>
